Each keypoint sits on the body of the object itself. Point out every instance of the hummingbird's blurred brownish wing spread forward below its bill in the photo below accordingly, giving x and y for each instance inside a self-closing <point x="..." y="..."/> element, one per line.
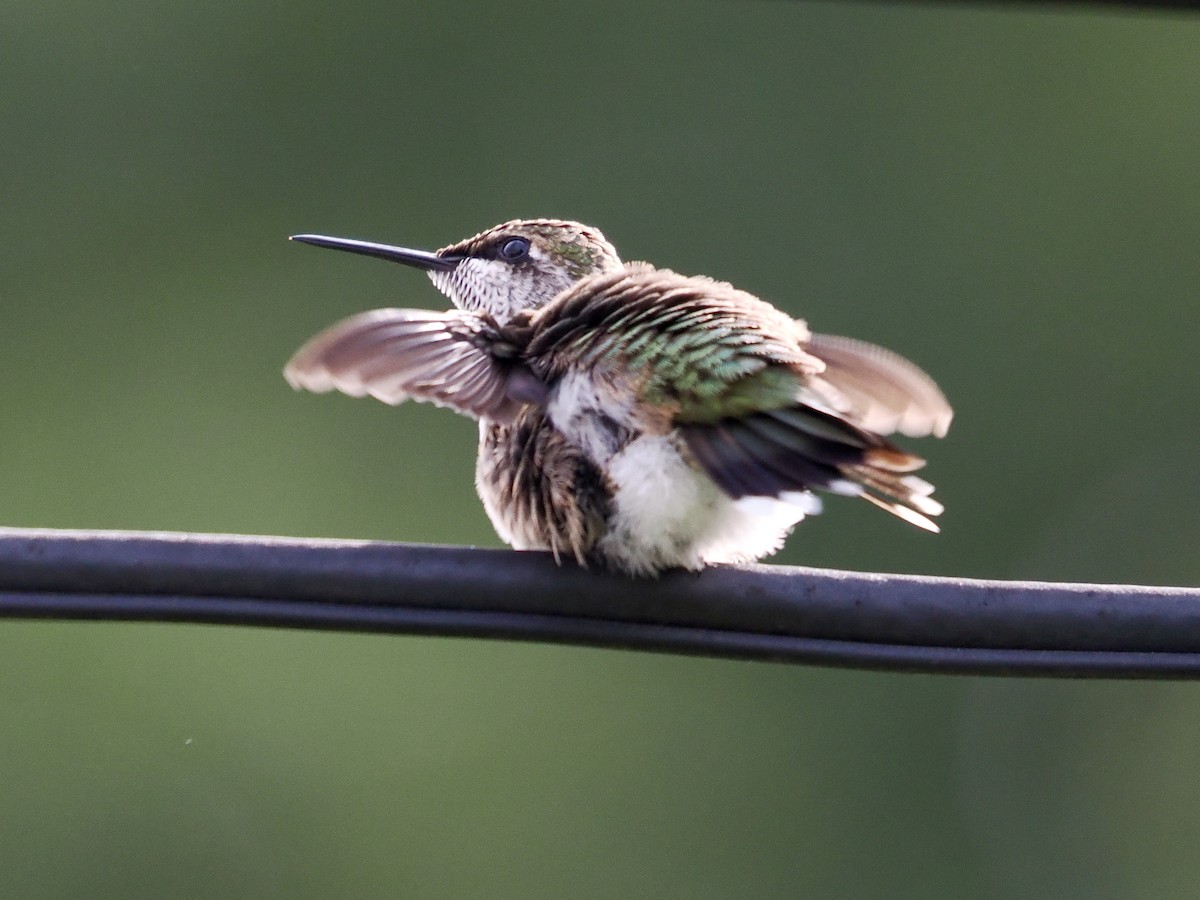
<point x="454" y="359"/>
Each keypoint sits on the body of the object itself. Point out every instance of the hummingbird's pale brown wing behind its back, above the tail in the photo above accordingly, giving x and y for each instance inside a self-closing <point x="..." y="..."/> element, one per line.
<point x="885" y="392"/>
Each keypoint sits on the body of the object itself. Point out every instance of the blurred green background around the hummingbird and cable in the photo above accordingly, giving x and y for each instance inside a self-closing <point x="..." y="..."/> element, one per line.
<point x="1010" y="197"/>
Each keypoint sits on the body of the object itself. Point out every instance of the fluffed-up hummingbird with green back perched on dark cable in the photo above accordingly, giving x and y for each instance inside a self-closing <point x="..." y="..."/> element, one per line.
<point x="632" y="418"/>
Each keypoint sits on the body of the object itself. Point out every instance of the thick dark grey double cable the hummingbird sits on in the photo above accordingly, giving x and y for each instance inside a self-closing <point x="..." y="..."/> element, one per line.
<point x="898" y="622"/>
